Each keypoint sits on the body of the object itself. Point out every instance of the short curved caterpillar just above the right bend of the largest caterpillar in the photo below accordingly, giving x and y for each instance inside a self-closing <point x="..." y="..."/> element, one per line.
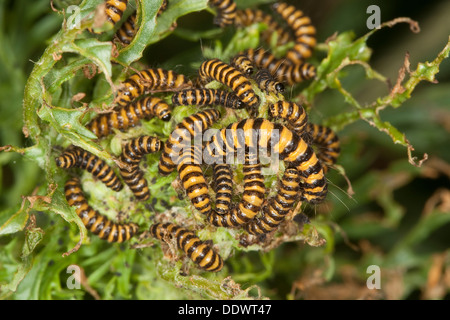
<point x="294" y="114"/>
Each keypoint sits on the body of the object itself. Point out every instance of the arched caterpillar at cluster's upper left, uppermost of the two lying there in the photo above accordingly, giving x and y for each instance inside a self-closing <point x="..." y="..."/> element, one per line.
<point x="151" y="80"/>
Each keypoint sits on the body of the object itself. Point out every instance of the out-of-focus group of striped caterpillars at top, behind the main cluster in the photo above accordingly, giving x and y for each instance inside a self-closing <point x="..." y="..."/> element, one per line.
<point x="292" y="68"/>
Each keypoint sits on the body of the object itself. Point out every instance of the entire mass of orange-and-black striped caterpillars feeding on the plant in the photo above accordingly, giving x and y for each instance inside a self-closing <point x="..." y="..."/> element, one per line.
<point x="308" y="150"/>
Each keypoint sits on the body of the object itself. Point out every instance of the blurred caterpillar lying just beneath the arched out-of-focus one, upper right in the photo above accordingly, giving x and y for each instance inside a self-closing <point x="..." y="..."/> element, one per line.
<point x="283" y="70"/>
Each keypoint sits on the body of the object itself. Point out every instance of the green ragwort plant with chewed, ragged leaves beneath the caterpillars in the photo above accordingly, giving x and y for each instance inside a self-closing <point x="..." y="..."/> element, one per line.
<point x="77" y="76"/>
